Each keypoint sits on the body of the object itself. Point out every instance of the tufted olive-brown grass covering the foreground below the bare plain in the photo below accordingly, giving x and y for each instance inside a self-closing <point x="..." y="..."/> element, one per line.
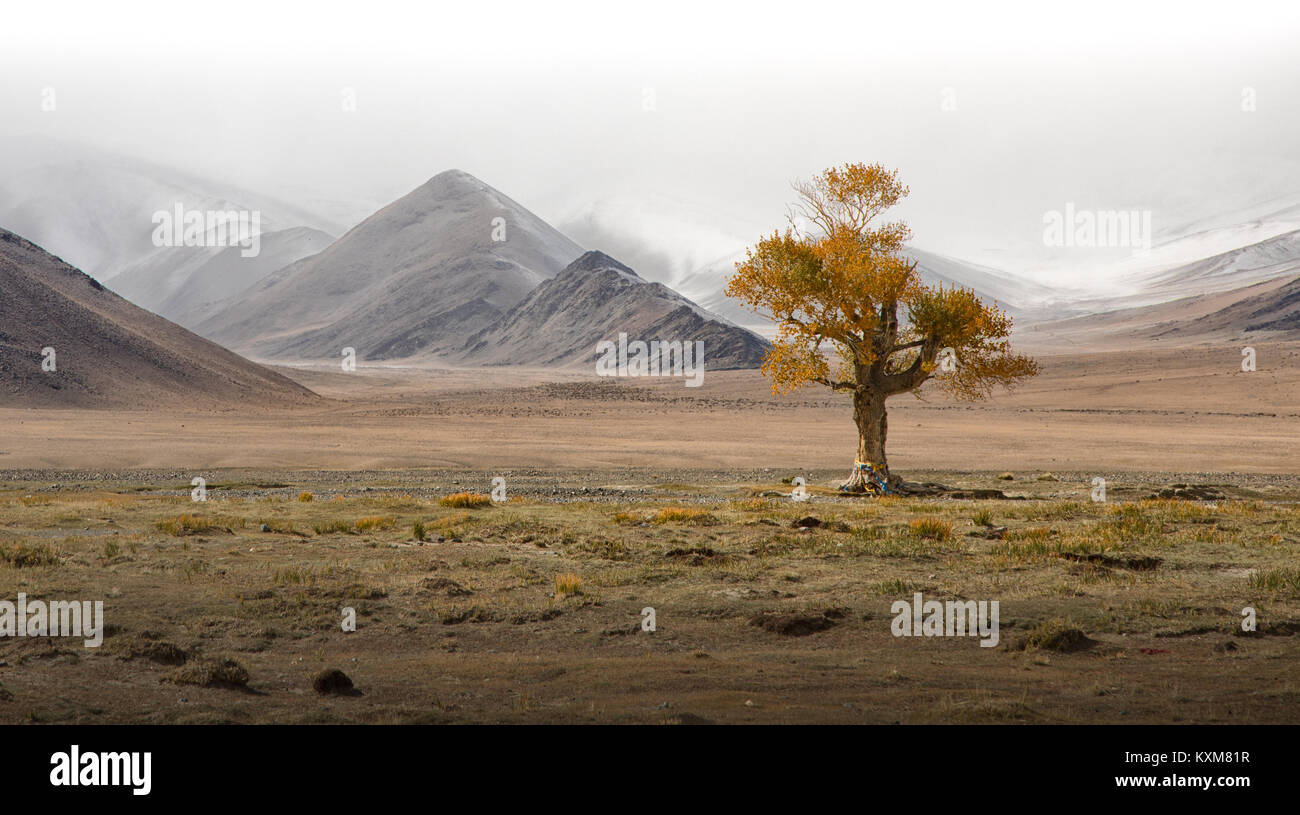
<point x="547" y="597"/>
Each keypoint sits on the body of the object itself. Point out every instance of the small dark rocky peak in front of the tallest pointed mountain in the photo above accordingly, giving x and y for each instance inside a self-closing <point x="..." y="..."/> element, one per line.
<point x="595" y="300"/>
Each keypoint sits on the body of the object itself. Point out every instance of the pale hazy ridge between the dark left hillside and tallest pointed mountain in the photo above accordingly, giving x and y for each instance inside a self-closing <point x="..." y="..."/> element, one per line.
<point x="185" y="284"/>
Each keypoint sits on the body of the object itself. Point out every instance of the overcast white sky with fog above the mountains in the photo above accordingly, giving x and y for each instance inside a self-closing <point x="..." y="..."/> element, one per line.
<point x="1107" y="106"/>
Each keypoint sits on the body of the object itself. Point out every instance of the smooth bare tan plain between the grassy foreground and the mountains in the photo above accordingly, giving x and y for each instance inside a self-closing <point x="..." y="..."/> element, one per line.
<point x="1189" y="410"/>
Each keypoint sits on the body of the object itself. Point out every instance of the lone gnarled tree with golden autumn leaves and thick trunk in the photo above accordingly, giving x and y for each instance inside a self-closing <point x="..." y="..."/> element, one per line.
<point x="837" y="276"/>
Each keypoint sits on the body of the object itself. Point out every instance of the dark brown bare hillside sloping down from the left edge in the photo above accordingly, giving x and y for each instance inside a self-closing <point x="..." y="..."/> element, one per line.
<point x="110" y="353"/>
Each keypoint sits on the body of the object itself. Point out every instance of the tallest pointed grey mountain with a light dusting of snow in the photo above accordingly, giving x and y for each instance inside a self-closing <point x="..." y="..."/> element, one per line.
<point x="415" y="278"/>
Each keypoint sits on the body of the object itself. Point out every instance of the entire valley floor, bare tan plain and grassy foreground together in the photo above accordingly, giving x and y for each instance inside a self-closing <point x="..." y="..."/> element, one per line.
<point x="623" y="497"/>
